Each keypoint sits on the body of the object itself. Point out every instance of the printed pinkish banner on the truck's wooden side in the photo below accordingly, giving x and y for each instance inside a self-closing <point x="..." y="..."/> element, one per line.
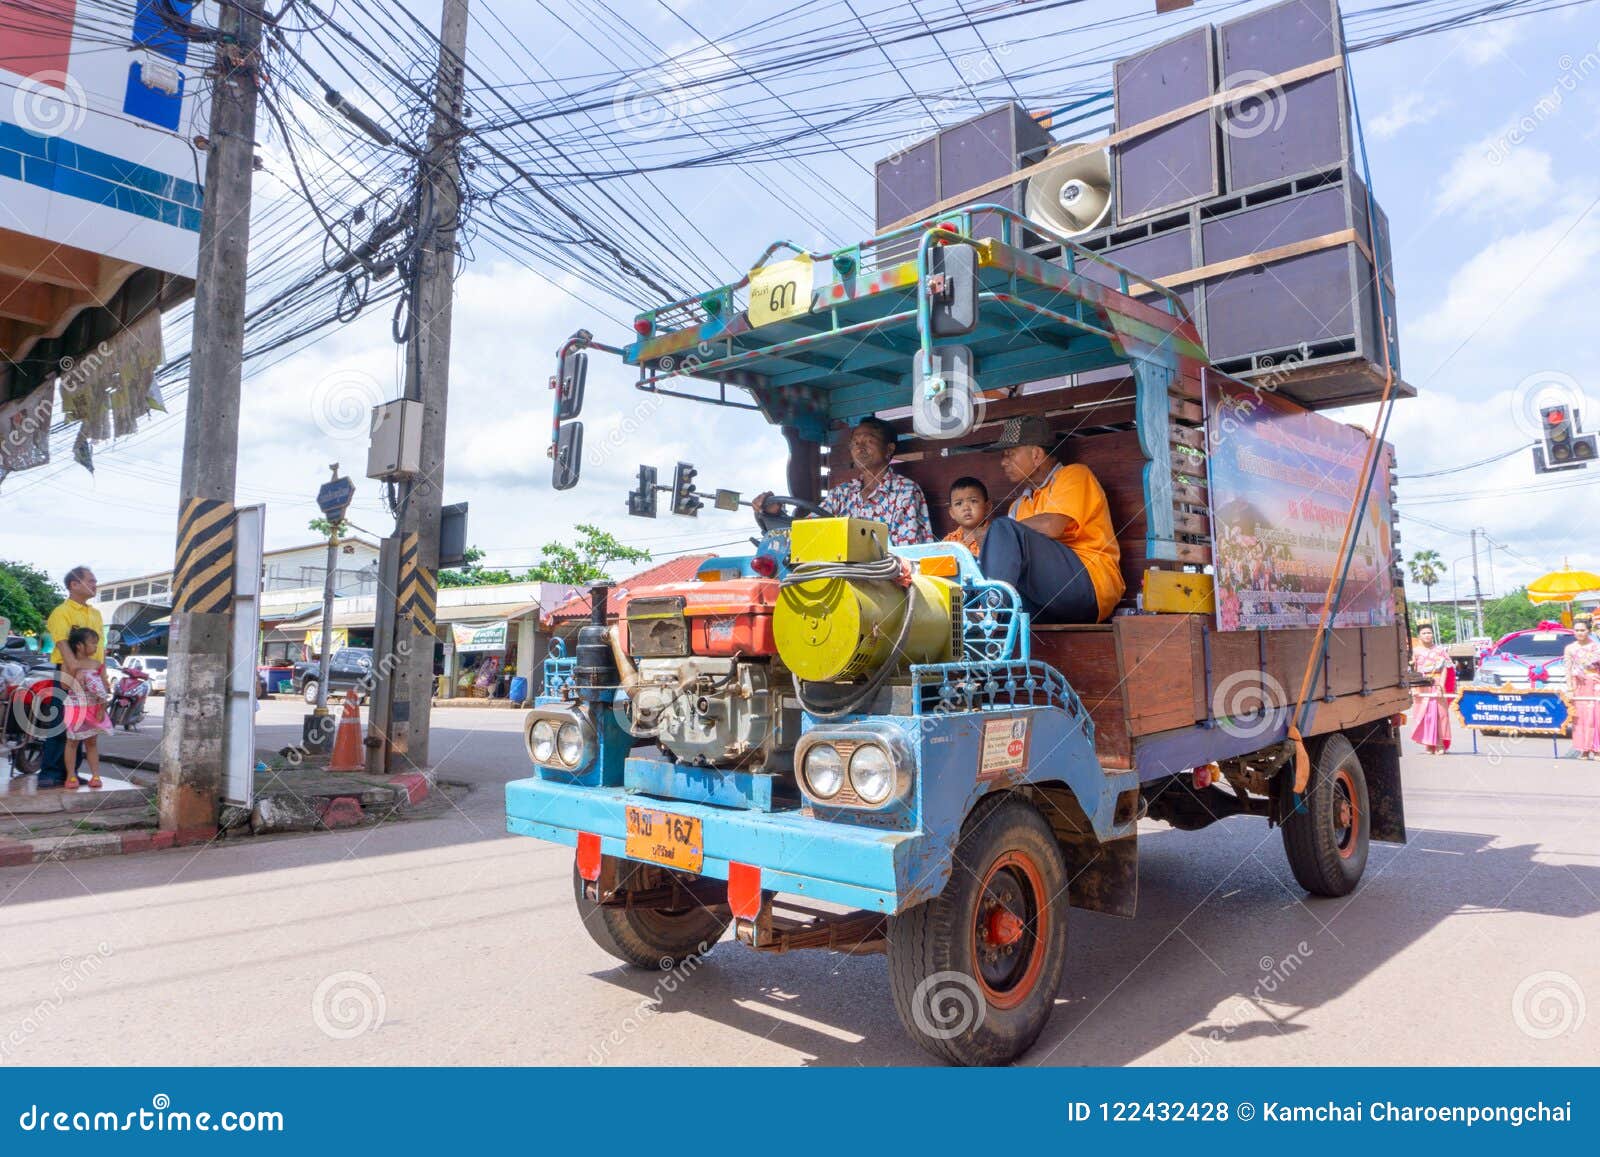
<point x="1282" y="484"/>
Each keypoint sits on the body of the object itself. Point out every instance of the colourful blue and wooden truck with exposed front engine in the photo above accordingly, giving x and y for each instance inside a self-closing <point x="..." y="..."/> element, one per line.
<point x="836" y="743"/>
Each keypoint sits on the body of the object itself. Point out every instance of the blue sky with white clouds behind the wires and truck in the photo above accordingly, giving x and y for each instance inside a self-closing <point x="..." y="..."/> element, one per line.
<point x="1482" y="148"/>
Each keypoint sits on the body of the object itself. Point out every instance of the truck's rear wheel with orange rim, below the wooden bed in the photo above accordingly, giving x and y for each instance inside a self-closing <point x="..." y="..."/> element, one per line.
<point x="1327" y="838"/>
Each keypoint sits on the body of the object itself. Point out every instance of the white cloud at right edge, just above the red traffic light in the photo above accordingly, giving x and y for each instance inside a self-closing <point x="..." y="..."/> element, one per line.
<point x="1514" y="281"/>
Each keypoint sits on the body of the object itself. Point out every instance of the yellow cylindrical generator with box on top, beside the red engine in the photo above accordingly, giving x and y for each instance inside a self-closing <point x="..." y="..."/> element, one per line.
<point x="849" y="607"/>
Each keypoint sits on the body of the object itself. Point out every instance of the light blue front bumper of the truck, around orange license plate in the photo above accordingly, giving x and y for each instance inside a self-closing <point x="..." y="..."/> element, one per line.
<point x="839" y="863"/>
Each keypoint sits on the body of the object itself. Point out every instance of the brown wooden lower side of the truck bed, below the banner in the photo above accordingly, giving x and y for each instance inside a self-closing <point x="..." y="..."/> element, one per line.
<point x="1158" y="684"/>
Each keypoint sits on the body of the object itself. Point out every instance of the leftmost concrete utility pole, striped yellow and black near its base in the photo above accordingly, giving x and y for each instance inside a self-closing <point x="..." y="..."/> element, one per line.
<point x="194" y="750"/>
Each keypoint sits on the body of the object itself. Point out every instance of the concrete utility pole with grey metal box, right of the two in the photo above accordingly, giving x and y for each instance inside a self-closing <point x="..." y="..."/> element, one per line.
<point x="407" y="606"/>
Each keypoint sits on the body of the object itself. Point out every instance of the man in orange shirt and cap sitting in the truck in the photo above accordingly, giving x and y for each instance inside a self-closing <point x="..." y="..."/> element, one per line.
<point x="1057" y="545"/>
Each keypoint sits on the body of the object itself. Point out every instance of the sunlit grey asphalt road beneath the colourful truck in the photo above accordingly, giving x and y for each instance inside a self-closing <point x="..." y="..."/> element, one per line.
<point x="446" y="942"/>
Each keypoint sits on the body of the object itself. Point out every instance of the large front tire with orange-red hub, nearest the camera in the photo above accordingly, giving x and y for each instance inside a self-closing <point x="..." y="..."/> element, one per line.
<point x="986" y="1004"/>
